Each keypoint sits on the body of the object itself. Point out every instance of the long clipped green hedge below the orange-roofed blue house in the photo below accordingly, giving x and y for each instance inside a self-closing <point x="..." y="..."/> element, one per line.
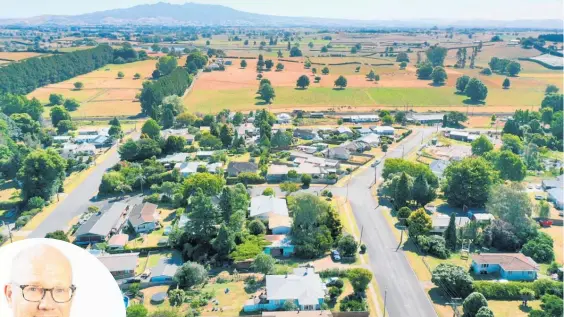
<point x="510" y="290"/>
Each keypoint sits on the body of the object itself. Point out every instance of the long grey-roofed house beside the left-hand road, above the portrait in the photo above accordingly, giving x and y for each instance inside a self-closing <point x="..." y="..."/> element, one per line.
<point x="102" y="225"/>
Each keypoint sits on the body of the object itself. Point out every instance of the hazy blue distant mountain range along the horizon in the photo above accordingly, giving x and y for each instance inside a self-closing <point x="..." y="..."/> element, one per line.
<point x="205" y="15"/>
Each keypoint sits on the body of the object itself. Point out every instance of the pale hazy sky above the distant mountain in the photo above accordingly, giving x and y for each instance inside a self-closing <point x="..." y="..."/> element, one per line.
<point x="347" y="9"/>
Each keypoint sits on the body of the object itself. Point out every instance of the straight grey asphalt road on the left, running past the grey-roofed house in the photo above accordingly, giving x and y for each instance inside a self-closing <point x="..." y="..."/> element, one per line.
<point x="78" y="200"/>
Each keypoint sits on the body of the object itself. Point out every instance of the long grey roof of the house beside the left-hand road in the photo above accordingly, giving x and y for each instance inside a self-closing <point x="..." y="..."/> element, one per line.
<point x="103" y="223"/>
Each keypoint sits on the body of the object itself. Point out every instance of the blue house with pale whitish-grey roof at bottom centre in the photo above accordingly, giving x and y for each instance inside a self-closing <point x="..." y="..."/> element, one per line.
<point x="303" y="287"/>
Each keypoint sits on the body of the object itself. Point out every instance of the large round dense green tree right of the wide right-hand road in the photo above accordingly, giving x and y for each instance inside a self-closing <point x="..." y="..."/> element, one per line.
<point x="468" y="182"/>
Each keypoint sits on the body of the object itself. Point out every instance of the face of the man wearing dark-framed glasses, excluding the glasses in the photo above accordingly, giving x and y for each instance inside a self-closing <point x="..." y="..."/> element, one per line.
<point x="52" y="270"/>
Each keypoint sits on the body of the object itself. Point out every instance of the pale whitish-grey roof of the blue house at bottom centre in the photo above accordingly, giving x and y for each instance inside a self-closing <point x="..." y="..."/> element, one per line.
<point x="303" y="285"/>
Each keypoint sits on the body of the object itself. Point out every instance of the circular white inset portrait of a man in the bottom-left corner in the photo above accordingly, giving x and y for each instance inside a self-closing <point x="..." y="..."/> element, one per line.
<point x="52" y="278"/>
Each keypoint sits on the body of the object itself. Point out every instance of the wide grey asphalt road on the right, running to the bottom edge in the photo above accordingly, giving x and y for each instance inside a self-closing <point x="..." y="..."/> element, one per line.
<point x="405" y="295"/>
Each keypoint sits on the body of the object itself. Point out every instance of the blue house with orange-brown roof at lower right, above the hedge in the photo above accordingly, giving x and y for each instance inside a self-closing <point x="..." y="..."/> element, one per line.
<point x="509" y="266"/>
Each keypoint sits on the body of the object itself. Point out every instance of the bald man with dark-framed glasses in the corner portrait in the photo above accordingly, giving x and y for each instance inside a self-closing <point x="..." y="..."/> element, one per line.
<point x="41" y="283"/>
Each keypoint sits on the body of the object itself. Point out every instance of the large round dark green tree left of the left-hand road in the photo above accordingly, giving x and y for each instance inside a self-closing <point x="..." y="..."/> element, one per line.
<point x="42" y="174"/>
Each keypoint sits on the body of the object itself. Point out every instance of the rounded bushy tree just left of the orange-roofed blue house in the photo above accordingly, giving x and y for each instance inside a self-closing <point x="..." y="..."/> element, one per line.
<point x="454" y="278"/>
